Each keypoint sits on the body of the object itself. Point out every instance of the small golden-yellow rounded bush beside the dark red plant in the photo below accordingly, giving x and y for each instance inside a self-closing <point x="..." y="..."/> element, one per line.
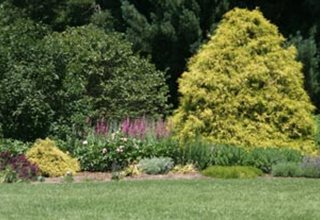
<point x="50" y="160"/>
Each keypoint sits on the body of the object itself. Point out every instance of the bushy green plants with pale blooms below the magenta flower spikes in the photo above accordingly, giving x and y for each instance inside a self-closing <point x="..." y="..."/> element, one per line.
<point x="99" y="152"/>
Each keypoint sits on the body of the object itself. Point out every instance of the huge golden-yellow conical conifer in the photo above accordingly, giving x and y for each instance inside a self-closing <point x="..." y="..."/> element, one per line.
<point x="245" y="87"/>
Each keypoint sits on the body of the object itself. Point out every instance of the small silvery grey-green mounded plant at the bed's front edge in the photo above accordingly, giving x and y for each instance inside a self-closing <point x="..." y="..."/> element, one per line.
<point x="156" y="165"/>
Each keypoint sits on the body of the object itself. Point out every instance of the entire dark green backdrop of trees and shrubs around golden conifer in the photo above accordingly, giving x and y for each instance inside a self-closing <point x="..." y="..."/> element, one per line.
<point x="165" y="32"/>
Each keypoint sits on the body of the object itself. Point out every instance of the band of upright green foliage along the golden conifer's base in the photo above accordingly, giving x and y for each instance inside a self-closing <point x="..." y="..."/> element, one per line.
<point x="204" y="154"/>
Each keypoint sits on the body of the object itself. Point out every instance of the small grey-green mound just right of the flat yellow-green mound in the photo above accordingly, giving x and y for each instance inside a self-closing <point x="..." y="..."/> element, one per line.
<point x="287" y="169"/>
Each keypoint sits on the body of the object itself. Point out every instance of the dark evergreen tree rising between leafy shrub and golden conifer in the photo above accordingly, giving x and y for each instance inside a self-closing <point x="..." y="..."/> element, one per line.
<point x="170" y="31"/>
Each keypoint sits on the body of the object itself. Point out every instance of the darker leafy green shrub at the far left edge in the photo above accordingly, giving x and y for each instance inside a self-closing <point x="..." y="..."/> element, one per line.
<point x="23" y="112"/>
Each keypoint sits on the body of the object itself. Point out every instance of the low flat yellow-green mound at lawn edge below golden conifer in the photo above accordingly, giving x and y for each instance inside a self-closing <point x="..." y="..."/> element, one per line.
<point x="232" y="172"/>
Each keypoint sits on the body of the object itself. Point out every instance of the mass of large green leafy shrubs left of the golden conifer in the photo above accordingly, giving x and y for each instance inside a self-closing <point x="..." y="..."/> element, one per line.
<point x="51" y="84"/>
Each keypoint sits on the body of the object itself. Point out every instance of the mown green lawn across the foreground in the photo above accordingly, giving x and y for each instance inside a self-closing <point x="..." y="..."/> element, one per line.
<point x="164" y="199"/>
